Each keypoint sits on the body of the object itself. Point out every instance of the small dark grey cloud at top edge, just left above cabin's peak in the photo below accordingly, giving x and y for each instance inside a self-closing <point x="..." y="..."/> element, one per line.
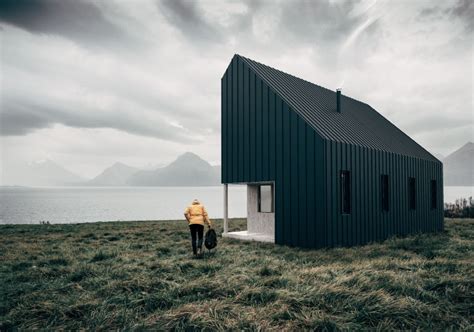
<point x="186" y="16"/>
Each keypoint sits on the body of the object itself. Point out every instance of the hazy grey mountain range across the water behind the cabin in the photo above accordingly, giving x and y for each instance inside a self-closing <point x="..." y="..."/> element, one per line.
<point x="188" y="170"/>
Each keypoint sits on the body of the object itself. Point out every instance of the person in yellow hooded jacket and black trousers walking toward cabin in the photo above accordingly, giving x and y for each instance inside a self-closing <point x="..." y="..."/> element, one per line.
<point x="196" y="215"/>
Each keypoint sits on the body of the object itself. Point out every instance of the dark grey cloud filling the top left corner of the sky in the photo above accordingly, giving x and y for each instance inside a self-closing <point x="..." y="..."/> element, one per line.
<point x="77" y="20"/>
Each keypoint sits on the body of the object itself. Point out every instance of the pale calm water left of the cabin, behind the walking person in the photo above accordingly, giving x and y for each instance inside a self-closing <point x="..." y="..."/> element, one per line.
<point x="85" y="204"/>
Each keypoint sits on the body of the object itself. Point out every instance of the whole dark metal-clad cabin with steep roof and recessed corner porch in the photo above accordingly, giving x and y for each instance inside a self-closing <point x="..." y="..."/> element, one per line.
<point x="322" y="169"/>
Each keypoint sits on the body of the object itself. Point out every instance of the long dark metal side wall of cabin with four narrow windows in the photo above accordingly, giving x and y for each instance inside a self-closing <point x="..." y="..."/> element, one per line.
<point x="367" y="222"/>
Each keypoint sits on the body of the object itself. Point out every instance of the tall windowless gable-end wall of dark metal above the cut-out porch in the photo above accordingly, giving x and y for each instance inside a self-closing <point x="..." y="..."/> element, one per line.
<point x="264" y="140"/>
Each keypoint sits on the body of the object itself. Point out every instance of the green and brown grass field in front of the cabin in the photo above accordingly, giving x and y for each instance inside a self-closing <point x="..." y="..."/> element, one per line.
<point x="141" y="275"/>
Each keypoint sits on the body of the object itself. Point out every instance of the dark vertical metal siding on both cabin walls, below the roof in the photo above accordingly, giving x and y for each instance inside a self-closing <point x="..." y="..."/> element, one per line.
<point x="264" y="139"/>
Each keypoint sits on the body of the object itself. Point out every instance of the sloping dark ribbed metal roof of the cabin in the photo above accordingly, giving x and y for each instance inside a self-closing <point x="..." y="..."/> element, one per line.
<point x="357" y="124"/>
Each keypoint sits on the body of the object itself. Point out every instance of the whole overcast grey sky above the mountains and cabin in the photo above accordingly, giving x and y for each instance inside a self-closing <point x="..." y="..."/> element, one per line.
<point x="89" y="83"/>
